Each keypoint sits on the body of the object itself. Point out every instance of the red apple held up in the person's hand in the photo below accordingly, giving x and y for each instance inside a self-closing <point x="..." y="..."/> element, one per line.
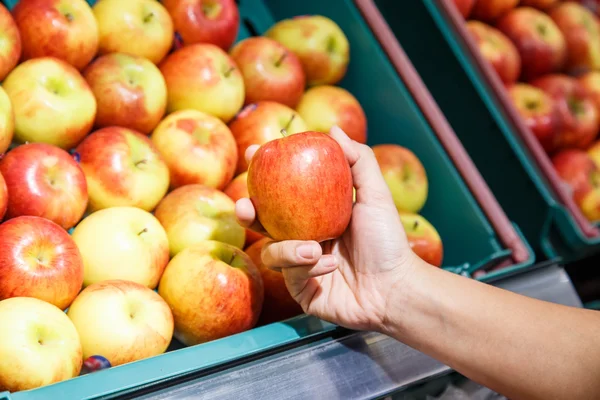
<point x="314" y="163"/>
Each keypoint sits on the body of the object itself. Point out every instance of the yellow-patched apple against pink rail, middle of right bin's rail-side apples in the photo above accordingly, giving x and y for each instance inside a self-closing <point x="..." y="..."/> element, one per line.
<point x="538" y="111"/>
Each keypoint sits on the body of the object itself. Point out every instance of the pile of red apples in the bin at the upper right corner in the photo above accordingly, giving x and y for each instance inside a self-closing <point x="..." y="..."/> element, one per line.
<point x="547" y="53"/>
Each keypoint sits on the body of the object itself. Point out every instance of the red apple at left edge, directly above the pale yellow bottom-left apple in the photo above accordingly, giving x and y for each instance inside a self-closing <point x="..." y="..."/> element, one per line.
<point x="40" y="260"/>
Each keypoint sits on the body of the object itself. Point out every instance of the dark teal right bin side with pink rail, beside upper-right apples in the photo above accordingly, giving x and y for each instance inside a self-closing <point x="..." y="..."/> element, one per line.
<point x="473" y="99"/>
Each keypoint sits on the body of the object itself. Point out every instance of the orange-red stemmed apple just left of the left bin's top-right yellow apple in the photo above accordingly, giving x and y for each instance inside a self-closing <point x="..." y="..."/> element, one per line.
<point x="271" y="72"/>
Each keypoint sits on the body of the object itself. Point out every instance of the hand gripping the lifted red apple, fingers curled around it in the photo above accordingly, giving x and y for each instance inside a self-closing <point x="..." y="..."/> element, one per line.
<point x="347" y="280"/>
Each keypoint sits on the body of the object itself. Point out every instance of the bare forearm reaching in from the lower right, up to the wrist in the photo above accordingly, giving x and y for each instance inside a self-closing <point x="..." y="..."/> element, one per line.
<point x="518" y="346"/>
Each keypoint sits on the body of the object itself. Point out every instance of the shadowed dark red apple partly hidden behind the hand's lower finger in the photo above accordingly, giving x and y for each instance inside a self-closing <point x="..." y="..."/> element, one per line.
<point x="278" y="303"/>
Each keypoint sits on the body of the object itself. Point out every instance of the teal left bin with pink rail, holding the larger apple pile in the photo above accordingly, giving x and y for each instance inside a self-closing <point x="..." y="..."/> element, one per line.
<point x="477" y="235"/>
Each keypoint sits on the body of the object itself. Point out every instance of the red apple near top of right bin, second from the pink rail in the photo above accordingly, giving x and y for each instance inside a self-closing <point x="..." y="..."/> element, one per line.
<point x="541" y="44"/>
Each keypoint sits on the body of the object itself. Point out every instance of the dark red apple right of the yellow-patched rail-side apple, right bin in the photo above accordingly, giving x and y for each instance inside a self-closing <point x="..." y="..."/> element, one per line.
<point x="579" y="120"/>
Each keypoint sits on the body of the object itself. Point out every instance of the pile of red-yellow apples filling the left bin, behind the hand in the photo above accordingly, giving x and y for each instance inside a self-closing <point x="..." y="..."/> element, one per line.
<point x="123" y="130"/>
